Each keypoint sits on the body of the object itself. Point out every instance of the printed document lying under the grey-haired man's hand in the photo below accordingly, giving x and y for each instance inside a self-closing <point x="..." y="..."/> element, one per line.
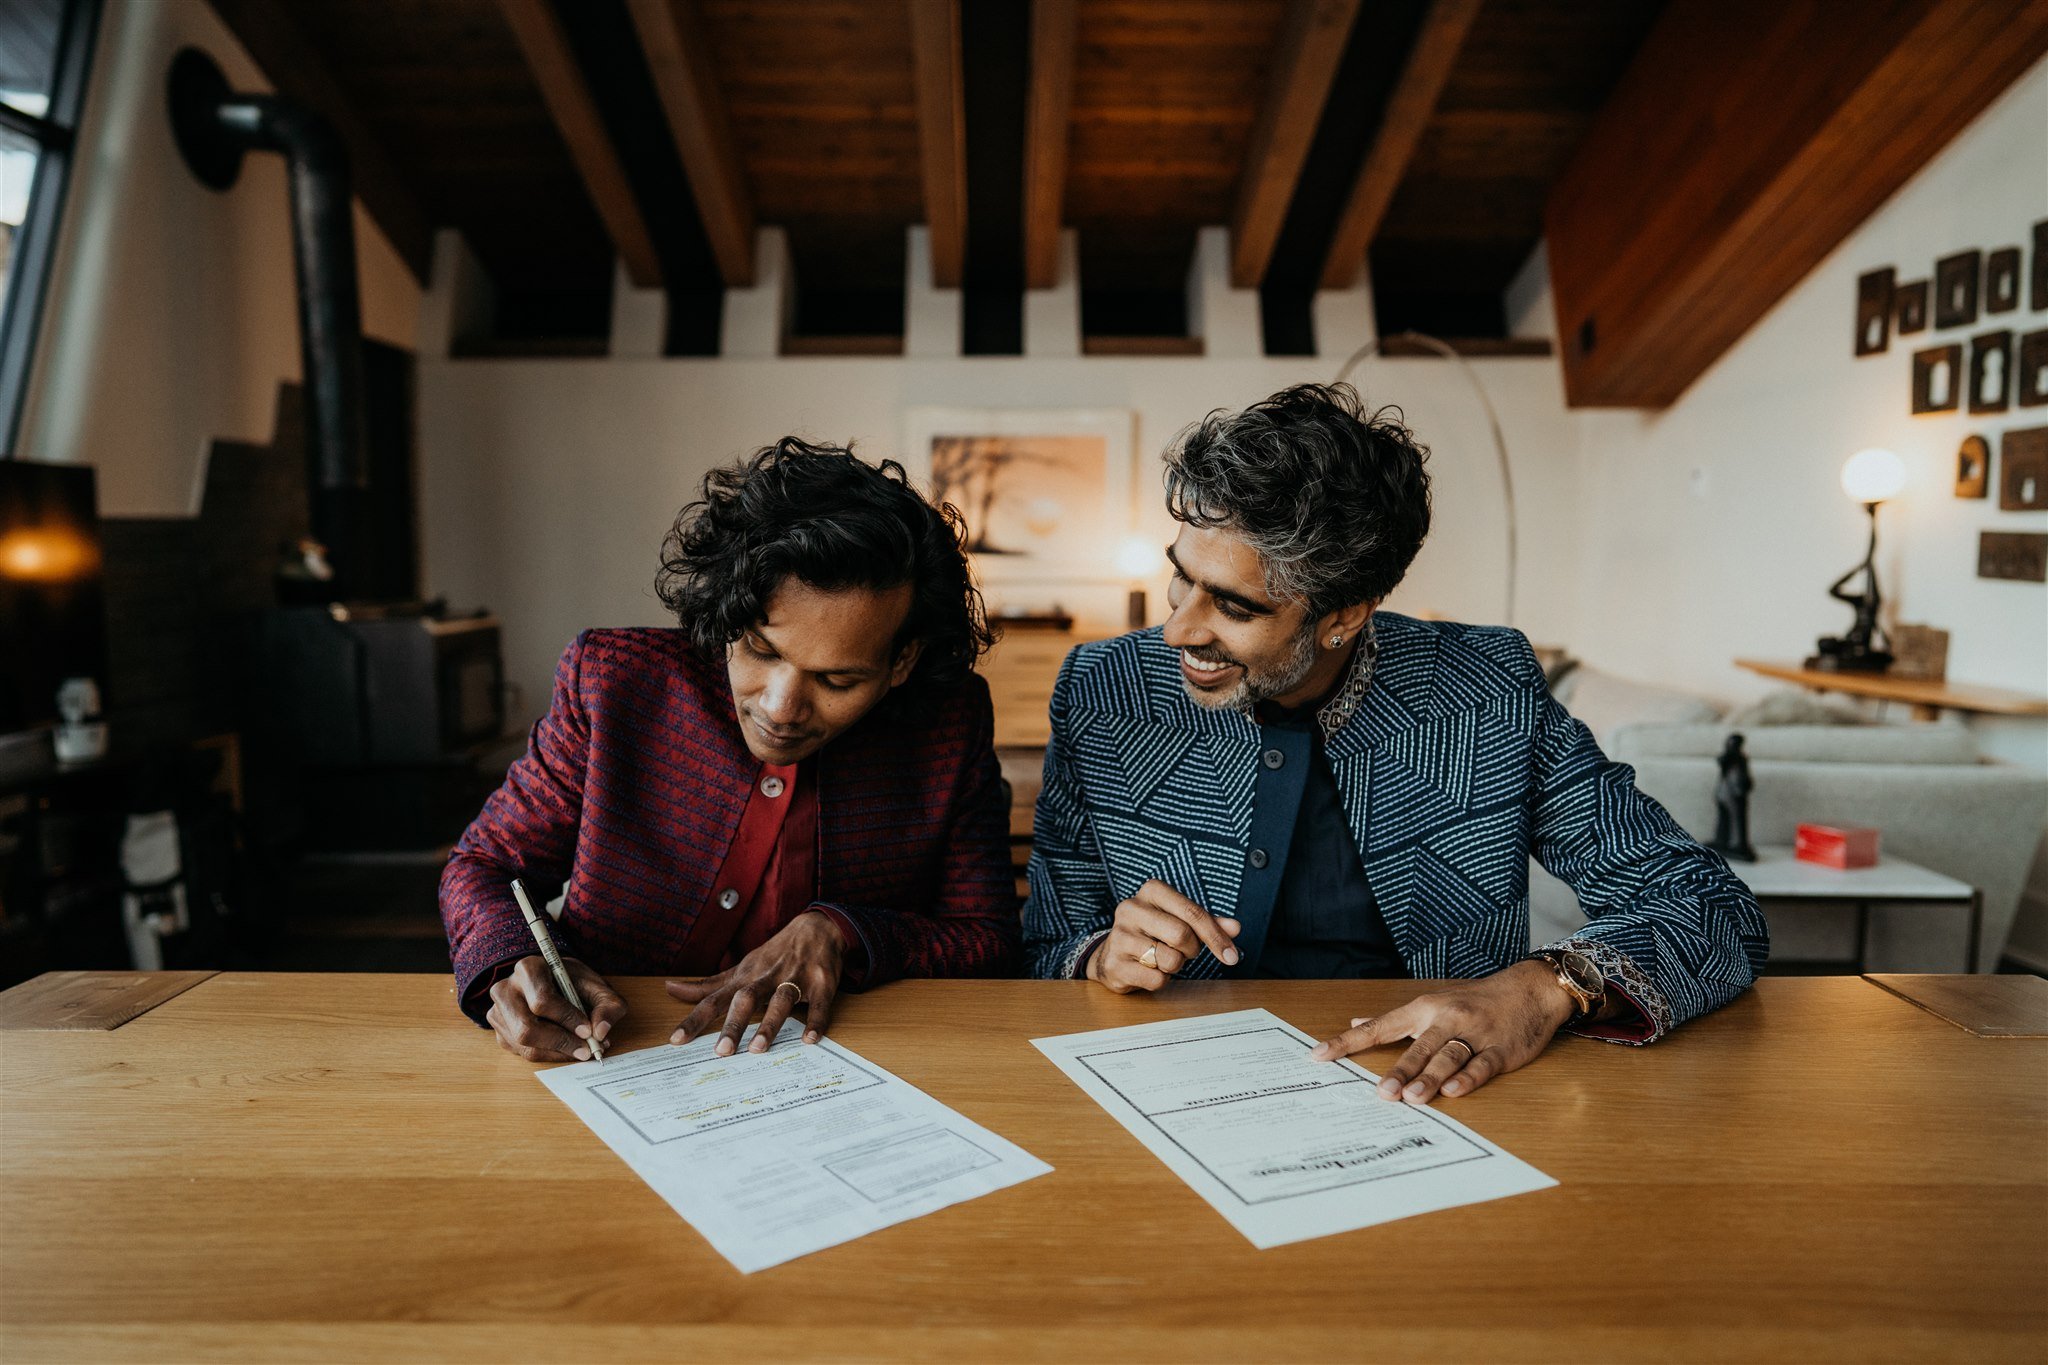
<point x="1283" y="1147"/>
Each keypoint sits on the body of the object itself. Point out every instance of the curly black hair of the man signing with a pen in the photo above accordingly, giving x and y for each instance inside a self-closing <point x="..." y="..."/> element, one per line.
<point x="830" y="521"/>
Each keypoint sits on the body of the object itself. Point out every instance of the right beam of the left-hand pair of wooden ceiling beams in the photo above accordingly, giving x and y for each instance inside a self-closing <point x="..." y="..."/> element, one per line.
<point x="679" y="58"/>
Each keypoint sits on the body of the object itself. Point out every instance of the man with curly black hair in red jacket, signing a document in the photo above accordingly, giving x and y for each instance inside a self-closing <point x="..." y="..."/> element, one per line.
<point x="790" y="795"/>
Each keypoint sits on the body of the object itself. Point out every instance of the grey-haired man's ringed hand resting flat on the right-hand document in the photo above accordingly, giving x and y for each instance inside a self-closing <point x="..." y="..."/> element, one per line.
<point x="1504" y="1022"/>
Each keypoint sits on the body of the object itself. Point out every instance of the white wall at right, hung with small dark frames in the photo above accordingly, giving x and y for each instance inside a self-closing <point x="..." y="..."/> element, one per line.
<point x="1684" y="572"/>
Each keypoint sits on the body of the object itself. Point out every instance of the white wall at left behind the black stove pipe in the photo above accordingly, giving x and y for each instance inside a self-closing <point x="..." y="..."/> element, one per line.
<point x="171" y="314"/>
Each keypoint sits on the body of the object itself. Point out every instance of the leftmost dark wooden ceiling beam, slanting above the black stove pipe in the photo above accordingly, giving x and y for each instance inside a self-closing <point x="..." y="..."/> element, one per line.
<point x="294" y="69"/>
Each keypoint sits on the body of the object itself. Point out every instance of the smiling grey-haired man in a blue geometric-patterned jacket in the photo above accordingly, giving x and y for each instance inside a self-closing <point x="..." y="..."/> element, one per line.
<point x="1287" y="781"/>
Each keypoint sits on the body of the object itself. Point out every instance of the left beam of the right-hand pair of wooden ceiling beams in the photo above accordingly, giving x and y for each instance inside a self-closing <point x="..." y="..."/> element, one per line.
<point x="1306" y="64"/>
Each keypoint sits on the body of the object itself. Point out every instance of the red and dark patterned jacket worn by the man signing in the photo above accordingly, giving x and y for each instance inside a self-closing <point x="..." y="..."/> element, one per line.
<point x="634" y="785"/>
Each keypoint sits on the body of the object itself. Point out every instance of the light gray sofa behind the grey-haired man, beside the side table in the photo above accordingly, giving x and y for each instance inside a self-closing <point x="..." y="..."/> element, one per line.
<point x="1926" y="787"/>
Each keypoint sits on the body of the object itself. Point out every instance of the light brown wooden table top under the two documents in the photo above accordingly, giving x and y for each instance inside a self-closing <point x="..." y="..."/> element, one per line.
<point x="316" y="1168"/>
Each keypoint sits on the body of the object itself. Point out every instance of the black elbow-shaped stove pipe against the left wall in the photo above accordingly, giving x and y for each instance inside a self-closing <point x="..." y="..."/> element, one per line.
<point x="214" y="128"/>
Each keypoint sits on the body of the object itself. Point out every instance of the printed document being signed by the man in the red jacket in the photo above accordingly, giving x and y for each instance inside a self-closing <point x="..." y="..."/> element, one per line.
<point x="775" y="1155"/>
